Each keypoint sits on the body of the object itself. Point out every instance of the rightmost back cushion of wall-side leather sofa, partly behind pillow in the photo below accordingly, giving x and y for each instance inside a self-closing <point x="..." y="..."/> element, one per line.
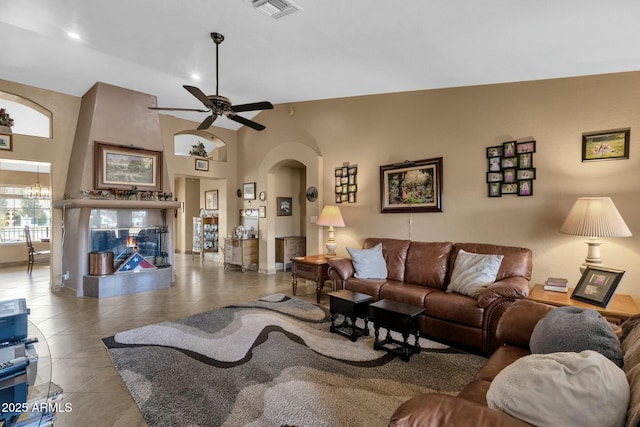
<point x="516" y="261"/>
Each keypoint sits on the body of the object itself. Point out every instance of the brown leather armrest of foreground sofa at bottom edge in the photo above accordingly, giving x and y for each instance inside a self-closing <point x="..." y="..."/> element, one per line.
<point x="436" y="410"/>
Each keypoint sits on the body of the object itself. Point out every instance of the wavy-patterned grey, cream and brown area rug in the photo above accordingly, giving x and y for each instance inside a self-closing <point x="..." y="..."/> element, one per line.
<point x="273" y="362"/>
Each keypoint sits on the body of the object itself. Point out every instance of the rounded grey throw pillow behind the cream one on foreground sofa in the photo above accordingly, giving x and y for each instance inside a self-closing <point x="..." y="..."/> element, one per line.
<point x="575" y="329"/>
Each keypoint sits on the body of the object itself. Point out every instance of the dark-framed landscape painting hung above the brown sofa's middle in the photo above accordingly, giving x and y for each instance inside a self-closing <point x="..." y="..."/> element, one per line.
<point x="411" y="186"/>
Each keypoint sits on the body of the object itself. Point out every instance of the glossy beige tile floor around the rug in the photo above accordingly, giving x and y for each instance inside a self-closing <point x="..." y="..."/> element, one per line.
<point x="73" y="328"/>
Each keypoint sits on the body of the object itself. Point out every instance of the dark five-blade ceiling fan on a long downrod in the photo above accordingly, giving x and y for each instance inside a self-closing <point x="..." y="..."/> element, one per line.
<point x="218" y="105"/>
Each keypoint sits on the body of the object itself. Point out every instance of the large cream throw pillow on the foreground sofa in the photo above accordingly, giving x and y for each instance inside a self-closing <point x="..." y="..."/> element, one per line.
<point x="562" y="389"/>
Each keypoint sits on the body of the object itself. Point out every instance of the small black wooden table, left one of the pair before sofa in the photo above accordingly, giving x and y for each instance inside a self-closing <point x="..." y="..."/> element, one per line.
<point x="352" y="305"/>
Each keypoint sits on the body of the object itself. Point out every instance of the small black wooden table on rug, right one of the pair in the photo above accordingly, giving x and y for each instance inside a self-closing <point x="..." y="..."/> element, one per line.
<point x="399" y="317"/>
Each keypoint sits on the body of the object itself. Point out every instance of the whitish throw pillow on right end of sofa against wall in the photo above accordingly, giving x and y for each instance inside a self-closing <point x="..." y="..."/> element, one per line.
<point x="473" y="272"/>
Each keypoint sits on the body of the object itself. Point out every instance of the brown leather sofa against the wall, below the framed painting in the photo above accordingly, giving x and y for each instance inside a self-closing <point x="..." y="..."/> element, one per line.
<point x="418" y="274"/>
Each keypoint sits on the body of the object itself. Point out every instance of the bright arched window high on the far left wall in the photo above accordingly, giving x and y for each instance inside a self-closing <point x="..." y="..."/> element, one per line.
<point x="28" y="117"/>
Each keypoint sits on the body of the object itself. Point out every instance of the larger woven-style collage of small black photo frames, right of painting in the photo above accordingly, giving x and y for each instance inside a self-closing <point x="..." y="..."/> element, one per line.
<point x="511" y="168"/>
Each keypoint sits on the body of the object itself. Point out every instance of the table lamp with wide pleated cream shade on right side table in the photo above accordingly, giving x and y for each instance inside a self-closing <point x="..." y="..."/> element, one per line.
<point x="594" y="217"/>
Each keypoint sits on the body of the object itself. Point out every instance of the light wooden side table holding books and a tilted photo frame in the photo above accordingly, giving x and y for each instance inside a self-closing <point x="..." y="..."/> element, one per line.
<point x="619" y="309"/>
